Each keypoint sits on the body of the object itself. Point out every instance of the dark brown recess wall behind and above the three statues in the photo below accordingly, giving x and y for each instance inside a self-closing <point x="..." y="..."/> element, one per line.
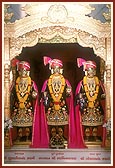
<point x="67" y="52"/>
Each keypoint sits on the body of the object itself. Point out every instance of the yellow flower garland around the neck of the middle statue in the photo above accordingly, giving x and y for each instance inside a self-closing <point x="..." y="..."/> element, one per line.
<point x="56" y="99"/>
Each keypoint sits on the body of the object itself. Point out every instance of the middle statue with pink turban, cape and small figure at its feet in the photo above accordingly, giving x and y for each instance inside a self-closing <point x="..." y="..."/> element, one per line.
<point x="57" y="107"/>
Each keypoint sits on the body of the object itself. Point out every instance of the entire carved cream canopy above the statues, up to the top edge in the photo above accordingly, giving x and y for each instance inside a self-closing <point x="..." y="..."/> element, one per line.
<point x="56" y="22"/>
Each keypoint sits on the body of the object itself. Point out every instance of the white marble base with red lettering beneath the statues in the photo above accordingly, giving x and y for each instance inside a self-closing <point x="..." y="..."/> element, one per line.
<point x="24" y="155"/>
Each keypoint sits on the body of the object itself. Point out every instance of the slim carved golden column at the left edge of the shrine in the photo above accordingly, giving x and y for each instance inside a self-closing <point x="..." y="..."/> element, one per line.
<point x="7" y="120"/>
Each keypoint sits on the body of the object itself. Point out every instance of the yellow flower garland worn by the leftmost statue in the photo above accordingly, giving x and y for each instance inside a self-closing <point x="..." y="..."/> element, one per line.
<point x="18" y="92"/>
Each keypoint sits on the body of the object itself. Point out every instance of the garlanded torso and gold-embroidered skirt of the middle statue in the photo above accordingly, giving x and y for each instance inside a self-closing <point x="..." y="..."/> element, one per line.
<point x="57" y="112"/>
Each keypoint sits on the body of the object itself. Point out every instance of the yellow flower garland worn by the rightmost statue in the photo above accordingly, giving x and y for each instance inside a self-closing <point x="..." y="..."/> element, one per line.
<point x="94" y="97"/>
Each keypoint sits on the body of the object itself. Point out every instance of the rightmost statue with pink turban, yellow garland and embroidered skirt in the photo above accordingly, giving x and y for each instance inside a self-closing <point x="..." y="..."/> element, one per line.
<point x="90" y="103"/>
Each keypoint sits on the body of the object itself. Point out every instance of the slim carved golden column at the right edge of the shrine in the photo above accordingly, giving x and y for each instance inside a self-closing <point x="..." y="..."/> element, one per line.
<point x="108" y="92"/>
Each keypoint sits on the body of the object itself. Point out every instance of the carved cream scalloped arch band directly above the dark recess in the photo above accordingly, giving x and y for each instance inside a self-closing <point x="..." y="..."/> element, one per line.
<point x="57" y="34"/>
